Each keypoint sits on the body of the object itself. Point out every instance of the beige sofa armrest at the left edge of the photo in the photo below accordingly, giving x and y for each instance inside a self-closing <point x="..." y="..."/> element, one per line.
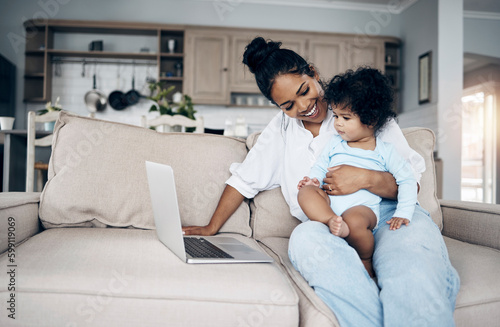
<point x="18" y="217"/>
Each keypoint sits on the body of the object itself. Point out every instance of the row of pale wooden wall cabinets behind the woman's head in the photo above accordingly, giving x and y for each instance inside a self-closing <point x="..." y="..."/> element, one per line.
<point x="215" y="73"/>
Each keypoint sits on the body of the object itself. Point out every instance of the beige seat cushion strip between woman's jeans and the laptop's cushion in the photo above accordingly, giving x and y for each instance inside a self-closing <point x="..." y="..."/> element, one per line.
<point x="313" y="311"/>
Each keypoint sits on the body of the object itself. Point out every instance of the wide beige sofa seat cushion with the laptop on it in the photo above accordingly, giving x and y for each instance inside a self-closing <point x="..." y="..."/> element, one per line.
<point x="127" y="277"/>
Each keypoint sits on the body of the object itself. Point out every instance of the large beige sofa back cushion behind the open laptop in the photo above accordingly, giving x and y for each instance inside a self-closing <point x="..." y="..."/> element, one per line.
<point x="97" y="175"/>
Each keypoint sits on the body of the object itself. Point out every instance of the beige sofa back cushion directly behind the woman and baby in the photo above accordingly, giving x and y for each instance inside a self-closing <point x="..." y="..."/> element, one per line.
<point x="271" y="215"/>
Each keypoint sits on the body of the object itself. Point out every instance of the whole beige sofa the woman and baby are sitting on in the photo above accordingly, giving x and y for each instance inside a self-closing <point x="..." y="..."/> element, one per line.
<point x="84" y="252"/>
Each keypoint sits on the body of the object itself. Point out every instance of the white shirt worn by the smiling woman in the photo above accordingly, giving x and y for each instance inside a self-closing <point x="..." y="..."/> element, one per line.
<point x="285" y="152"/>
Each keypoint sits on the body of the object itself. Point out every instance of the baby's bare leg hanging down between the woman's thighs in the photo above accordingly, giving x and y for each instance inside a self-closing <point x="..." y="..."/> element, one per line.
<point x="361" y="221"/>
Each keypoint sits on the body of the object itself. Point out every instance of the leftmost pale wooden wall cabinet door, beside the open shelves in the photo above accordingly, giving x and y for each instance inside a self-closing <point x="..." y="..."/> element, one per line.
<point x="207" y="66"/>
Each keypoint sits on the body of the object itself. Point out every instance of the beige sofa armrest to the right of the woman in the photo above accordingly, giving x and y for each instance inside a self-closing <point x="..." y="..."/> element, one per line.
<point x="471" y="222"/>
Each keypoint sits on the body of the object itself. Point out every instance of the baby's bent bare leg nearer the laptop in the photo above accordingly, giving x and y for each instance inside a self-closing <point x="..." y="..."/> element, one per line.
<point x="315" y="203"/>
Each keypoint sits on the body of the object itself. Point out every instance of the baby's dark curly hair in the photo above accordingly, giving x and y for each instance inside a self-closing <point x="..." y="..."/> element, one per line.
<point x="366" y="92"/>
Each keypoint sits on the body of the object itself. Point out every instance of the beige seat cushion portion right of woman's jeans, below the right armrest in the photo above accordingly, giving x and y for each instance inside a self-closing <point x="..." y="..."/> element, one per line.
<point x="478" y="302"/>
